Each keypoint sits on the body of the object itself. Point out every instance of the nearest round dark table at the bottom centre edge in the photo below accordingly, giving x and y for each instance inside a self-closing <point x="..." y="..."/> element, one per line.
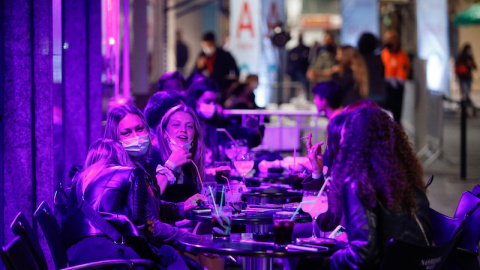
<point x="259" y="254"/>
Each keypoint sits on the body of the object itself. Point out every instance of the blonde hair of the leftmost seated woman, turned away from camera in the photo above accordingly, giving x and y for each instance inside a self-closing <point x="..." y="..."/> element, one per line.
<point x="102" y="154"/>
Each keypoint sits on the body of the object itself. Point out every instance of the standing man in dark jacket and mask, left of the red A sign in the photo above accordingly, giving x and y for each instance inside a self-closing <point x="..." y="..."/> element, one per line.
<point x="215" y="63"/>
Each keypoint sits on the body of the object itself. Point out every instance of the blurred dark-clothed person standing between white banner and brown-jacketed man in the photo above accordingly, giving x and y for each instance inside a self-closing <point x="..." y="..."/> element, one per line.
<point x="297" y="65"/>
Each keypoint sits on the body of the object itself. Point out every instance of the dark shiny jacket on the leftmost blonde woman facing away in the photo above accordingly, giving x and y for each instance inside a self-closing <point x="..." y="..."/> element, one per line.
<point x="119" y="194"/>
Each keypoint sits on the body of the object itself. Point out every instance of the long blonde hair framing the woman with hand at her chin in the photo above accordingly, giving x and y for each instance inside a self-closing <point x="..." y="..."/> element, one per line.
<point x="198" y="147"/>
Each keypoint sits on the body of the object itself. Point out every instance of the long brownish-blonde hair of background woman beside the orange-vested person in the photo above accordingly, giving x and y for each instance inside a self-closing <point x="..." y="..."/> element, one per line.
<point x="353" y="59"/>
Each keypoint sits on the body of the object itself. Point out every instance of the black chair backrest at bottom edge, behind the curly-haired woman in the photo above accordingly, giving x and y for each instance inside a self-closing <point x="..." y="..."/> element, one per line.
<point x="403" y="255"/>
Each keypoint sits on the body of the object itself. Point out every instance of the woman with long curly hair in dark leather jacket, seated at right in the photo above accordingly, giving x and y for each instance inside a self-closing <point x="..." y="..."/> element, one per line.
<point x="377" y="184"/>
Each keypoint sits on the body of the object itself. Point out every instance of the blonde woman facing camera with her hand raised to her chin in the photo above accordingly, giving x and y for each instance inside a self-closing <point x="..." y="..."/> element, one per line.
<point x="182" y="152"/>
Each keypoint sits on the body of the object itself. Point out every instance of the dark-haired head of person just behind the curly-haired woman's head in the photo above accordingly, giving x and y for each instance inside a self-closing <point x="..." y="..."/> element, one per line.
<point x="328" y="98"/>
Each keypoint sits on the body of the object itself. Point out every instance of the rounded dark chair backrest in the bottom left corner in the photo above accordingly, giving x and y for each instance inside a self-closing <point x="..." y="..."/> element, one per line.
<point x="17" y="255"/>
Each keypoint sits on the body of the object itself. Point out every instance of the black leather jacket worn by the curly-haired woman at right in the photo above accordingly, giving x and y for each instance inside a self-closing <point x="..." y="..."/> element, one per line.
<point x="369" y="230"/>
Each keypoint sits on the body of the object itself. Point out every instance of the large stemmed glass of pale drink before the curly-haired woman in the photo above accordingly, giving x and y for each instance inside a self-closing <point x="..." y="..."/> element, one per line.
<point x="314" y="205"/>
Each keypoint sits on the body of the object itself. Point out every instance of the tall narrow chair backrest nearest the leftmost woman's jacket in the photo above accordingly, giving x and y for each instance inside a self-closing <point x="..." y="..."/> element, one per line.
<point x="51" y="230"/>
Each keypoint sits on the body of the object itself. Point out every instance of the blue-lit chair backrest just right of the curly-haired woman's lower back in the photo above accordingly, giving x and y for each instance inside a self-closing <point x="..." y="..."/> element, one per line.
<point x="444" y="228"/>
